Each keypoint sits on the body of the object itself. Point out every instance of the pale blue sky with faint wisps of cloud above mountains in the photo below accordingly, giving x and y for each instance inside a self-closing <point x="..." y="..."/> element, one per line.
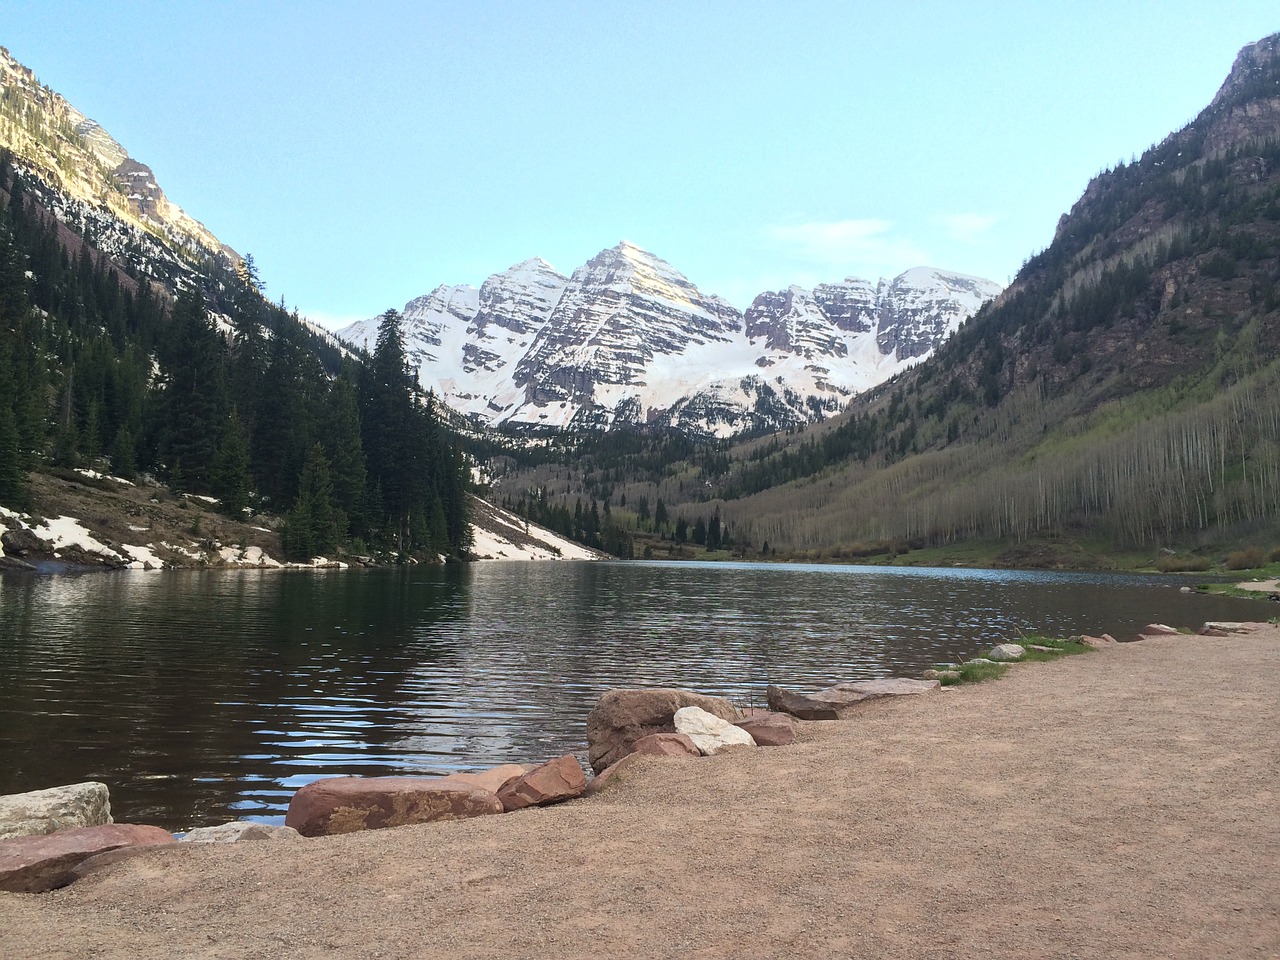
<point x="365" y="153"/>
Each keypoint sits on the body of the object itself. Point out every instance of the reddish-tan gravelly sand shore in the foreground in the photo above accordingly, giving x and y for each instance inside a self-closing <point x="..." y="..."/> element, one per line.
<point x="1122" y="804"/>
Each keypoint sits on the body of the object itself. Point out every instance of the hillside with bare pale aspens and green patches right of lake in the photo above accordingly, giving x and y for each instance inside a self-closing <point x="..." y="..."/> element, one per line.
<point x="1124" y="387"/>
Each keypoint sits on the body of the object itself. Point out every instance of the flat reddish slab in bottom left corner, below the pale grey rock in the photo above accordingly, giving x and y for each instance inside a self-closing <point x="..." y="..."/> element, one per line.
<point x="34" y="865"/>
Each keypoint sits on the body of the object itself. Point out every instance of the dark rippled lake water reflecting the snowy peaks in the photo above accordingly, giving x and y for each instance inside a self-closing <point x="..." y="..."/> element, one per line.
<point x="205" y="697"/>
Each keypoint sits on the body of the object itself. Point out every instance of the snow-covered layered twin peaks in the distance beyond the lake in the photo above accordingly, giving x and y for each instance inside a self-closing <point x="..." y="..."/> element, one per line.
<point x="629" y="340"/>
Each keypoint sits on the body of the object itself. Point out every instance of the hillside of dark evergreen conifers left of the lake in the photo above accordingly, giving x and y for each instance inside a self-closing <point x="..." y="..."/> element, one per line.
<point x="216" y="392"/>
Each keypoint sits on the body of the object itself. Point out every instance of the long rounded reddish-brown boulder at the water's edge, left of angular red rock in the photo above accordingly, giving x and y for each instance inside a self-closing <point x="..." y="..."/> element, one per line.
<point x="350" y="804"/>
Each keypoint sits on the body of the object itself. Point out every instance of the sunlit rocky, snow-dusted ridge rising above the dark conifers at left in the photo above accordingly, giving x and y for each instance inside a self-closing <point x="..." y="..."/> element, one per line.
<point x="90" y="182"/>
